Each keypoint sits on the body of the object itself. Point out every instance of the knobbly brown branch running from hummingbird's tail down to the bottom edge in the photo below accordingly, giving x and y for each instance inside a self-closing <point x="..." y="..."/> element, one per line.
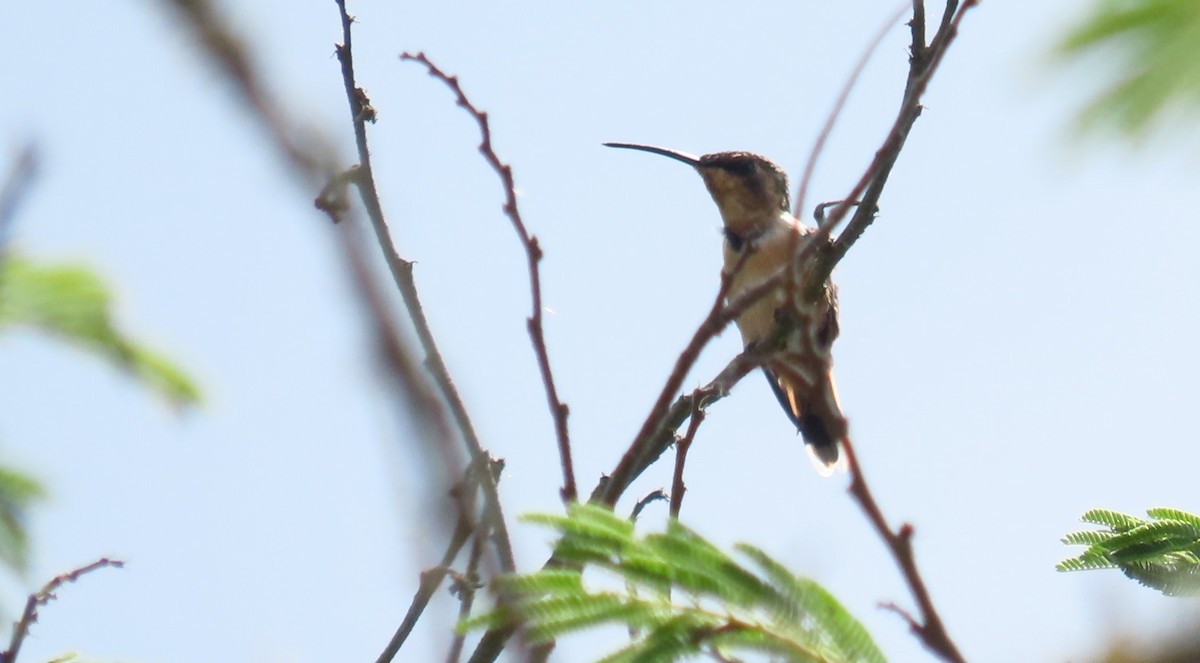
<point x="929" y="630"/>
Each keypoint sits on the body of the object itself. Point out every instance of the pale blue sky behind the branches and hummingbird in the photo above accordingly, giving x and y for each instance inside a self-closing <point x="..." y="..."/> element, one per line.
<point x="1018" y="337"/>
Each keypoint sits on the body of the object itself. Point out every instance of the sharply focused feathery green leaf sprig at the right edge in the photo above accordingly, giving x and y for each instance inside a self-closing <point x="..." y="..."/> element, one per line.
<point x="1162" y="553"/>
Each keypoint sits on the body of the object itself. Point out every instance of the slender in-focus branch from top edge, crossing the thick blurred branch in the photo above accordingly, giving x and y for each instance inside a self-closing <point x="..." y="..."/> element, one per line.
<point x="403" y="276"/>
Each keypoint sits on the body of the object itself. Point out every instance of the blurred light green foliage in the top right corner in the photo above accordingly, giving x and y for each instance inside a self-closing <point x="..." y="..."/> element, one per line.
<point x="1156" y="46"/>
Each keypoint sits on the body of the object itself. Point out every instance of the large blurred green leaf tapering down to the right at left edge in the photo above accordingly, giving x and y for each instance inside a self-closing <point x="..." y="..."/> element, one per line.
<point x="75" y="304"/>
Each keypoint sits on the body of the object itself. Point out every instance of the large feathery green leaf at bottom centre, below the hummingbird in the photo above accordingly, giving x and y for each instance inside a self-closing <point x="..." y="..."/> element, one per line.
<point x="682" y="598"/>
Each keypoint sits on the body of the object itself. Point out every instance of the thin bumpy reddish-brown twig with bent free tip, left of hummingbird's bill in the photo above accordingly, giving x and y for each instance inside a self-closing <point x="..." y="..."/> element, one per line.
<point x="559" y="410"/>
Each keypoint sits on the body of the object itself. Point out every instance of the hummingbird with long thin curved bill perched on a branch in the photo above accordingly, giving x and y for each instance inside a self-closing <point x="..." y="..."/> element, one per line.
<point x="761" y="236"/>
